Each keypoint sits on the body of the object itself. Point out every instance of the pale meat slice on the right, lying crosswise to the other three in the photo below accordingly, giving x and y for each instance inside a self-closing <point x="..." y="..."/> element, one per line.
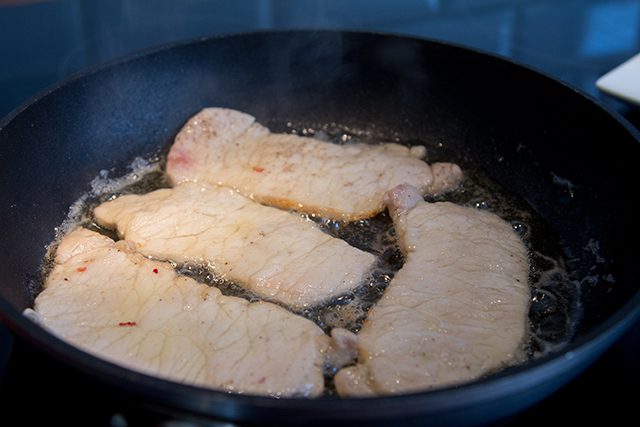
<point x="455" y="311"/>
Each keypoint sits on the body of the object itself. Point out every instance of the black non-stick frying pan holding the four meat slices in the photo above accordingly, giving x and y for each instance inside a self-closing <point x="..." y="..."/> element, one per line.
<point x="527" y="132"/>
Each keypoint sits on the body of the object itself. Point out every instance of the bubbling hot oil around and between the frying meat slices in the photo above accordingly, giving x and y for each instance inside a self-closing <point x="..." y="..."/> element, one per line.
<point x="554" y="309"/>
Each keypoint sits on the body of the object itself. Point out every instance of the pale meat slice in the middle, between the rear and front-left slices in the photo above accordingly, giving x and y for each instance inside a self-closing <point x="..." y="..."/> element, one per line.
<point x="276" y="254"/>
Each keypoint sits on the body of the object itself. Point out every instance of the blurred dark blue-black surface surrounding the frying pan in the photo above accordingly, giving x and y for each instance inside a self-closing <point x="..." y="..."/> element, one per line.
<point x="43" y="42"/>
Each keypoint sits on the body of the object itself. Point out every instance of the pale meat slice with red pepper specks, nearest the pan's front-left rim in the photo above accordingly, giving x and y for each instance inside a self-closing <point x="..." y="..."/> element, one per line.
<point x="115" y="303"/>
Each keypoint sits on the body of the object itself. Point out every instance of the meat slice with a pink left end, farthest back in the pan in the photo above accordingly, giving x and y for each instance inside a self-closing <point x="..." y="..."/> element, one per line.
<point x="344" y="182"/>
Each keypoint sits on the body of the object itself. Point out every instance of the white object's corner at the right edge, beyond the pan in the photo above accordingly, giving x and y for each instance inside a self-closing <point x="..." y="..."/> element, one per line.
<point x="623" y="81"/>
